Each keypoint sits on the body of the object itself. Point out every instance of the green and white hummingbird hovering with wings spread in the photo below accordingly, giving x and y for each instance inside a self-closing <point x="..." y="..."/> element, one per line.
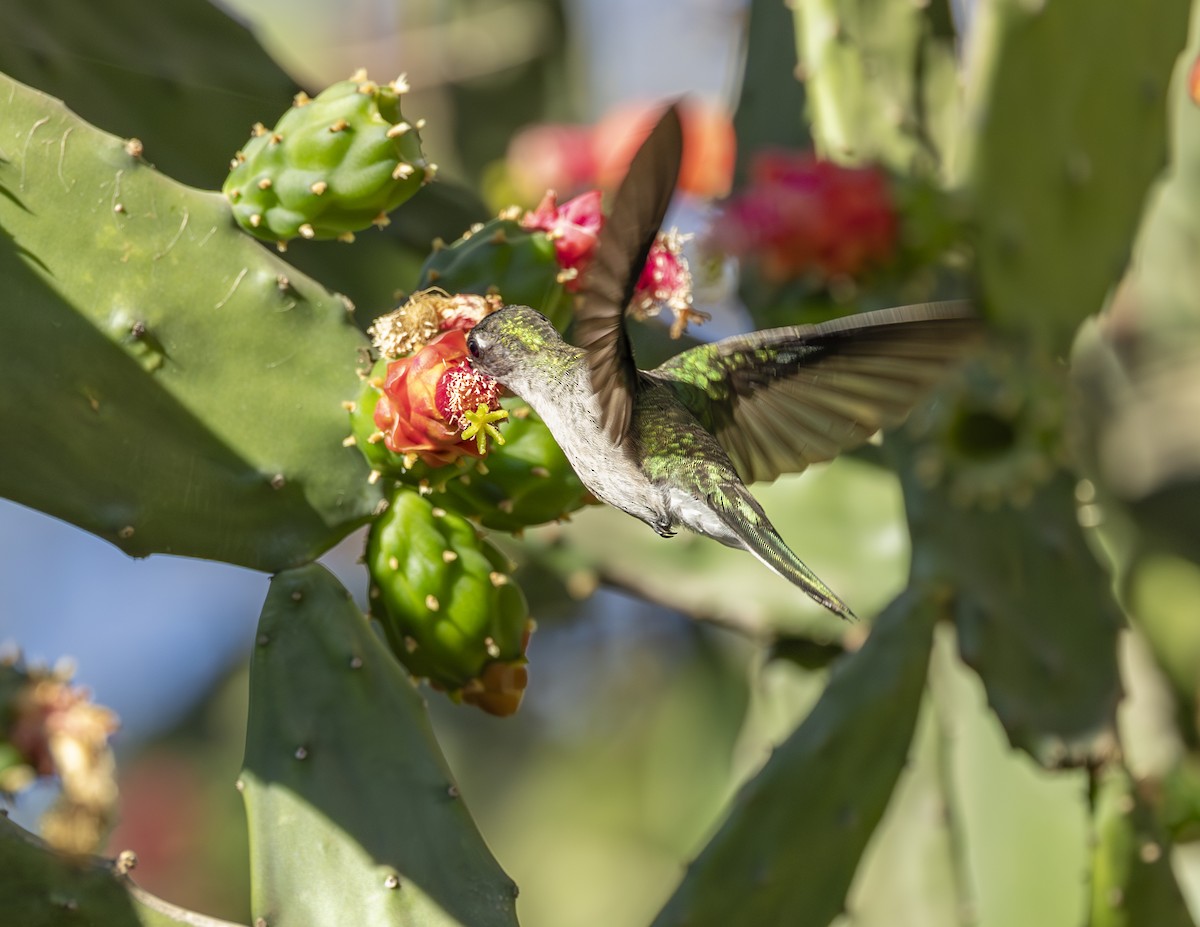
<point x="676" y="446"/>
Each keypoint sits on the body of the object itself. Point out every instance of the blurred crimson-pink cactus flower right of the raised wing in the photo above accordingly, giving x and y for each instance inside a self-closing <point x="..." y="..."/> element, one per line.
<point x="803" y="216"/>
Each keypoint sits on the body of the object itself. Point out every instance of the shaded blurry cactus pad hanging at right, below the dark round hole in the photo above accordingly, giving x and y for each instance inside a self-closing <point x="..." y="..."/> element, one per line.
<point x="1035" y="614"/>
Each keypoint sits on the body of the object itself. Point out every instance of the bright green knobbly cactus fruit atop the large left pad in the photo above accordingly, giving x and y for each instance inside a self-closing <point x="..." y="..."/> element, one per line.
<point x="333" y="165"/>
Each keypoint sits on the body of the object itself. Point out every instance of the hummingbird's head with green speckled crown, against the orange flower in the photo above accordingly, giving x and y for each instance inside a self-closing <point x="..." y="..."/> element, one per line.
<point x="514" y="343"/>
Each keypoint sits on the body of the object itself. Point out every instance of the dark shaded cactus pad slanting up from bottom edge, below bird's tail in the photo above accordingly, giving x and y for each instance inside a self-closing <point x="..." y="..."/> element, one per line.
<point x="789" y="851"/>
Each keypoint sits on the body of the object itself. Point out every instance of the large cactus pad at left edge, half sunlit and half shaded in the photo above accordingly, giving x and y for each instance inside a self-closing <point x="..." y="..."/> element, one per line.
<point x="169" y="385"/>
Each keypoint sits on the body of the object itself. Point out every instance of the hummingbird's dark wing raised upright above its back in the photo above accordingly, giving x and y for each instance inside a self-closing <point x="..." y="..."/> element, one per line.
<point x="608" y="285"/>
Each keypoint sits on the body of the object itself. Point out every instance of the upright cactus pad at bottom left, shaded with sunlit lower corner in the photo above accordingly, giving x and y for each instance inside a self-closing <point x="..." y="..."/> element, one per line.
<point x="355" y="816"/>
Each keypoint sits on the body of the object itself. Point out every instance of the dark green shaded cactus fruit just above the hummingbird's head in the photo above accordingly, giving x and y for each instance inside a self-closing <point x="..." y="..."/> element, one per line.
<point x="502" y="258"/>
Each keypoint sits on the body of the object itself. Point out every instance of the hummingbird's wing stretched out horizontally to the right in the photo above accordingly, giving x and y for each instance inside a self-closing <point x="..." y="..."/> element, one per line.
<point x="782" y="399"/>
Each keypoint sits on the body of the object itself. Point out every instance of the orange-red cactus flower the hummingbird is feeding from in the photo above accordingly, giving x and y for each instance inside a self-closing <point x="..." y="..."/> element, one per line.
<point x="431" y="398"/>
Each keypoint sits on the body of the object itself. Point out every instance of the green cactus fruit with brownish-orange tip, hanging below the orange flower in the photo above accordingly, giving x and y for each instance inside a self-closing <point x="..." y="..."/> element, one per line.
<point x="448" y="607"/>
